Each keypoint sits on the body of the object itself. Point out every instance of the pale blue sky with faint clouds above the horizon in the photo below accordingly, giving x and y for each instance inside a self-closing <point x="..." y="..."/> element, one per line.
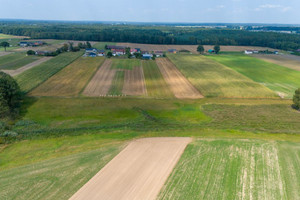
<point x="193" y="11"/>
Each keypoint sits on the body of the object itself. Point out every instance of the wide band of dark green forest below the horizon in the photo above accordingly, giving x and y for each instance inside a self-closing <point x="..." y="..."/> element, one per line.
<point x="149" y="34"/>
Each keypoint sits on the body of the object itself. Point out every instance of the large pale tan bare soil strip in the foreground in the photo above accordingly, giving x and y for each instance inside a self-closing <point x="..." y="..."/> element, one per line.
<point x="138" y="172"/>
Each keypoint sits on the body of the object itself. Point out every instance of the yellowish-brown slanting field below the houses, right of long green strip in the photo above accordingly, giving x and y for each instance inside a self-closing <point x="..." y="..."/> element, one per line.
<point x="71" y="80"/>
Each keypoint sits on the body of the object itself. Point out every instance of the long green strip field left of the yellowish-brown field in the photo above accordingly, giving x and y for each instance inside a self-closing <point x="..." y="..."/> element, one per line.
<point x="32" y="78"/>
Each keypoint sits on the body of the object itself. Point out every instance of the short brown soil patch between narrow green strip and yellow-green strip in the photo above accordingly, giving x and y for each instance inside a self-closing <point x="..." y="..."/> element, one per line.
<point x="134" y="82"/>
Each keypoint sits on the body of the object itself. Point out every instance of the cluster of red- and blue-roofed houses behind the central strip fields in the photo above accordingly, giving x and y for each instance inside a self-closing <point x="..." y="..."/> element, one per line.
<point x="121" y="50"/>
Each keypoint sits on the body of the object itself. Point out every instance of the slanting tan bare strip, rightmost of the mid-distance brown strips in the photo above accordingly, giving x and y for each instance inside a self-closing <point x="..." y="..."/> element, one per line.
<point x="178" y="84"/>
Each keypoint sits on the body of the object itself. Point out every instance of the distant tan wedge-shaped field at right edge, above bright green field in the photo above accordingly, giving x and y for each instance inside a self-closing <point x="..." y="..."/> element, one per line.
<point x="290" y="61"/>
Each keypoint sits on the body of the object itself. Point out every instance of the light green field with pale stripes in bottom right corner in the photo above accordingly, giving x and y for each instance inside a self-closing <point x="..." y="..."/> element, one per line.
<point x="236" y="169"/>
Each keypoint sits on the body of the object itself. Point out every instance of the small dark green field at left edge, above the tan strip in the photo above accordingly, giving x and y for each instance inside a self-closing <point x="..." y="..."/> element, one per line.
<point x="16" y="60"/>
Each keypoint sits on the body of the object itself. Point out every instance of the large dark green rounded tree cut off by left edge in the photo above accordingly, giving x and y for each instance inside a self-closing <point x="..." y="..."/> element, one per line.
<point x="10" y="96"/>
